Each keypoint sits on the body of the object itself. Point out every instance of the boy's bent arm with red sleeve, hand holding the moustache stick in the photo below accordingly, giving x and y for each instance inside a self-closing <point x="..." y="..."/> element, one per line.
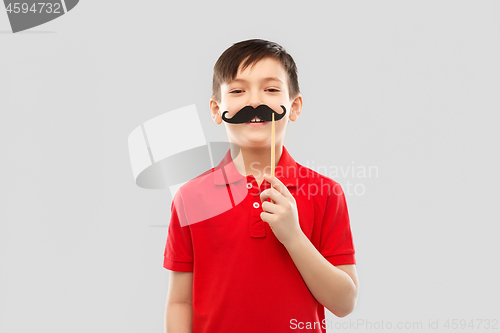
<point x="335" y="287"/>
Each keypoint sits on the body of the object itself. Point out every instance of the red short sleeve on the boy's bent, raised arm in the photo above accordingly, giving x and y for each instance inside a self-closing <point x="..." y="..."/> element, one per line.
<point x="336" y="243"/>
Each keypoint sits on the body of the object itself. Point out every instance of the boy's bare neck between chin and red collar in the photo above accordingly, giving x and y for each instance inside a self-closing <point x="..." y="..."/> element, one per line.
<point x="255" y="161"/>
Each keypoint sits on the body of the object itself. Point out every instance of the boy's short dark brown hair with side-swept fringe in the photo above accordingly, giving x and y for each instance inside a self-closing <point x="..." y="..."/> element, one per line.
<point x="226" y="67"/>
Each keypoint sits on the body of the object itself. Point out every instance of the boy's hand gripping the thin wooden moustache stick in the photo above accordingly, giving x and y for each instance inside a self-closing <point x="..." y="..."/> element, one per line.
<point x="282" y="215"/>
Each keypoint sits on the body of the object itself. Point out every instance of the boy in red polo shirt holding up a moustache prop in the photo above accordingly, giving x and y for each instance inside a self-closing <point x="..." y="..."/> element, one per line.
<point x="259" y="265"/>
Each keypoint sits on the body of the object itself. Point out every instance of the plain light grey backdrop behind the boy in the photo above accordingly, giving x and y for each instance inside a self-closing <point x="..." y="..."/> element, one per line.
<point x="410" y="87"/>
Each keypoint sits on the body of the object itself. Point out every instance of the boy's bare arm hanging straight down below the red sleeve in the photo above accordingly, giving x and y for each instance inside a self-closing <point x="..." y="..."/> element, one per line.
<point x="179" y="305"/>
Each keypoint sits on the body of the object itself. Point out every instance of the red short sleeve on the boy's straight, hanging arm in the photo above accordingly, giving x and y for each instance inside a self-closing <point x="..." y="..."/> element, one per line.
<point x="178" y="250"/>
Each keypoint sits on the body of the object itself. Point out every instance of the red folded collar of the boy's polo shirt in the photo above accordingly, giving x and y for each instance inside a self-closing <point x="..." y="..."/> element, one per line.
<point x="286" y="170"/>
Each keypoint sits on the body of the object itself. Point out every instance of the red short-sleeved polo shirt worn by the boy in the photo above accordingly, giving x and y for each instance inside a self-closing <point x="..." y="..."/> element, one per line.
<point x="244" y="280"/>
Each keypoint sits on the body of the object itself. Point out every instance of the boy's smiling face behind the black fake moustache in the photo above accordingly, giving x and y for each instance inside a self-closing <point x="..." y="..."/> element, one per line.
<point x="265" y="82"/>
